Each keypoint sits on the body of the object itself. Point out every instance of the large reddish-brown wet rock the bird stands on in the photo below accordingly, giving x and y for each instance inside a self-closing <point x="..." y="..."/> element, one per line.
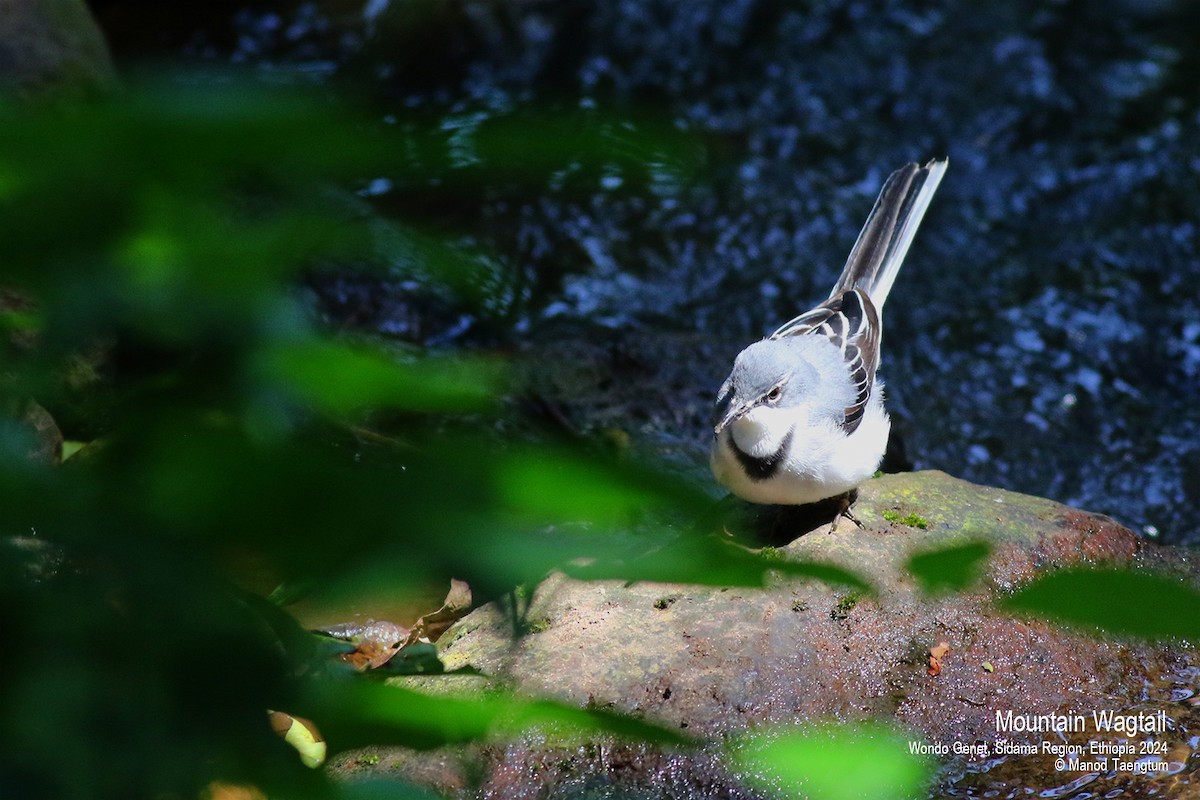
<point x="717" y="661"/>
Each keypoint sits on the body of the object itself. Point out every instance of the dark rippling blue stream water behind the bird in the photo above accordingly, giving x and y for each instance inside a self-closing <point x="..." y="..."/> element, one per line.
<point x="1045" y="335"/>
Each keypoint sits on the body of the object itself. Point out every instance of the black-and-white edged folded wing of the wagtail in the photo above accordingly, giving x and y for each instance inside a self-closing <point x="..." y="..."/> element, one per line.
<point x="853" y="326"/>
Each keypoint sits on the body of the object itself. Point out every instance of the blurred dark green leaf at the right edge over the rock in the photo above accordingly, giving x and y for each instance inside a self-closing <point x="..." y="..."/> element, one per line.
<point x="1119" y="601"/>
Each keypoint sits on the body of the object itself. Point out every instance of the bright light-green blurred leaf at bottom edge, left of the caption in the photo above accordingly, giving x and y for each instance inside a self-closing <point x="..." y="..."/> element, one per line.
<point x="859" y="762"/>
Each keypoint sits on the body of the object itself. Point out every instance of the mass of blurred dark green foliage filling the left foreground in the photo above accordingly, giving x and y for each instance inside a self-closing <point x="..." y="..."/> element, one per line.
<point x="153" y="249"/>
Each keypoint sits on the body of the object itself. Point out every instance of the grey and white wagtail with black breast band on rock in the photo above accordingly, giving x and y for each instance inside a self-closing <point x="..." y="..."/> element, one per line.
<point x="801" y="419"/>
